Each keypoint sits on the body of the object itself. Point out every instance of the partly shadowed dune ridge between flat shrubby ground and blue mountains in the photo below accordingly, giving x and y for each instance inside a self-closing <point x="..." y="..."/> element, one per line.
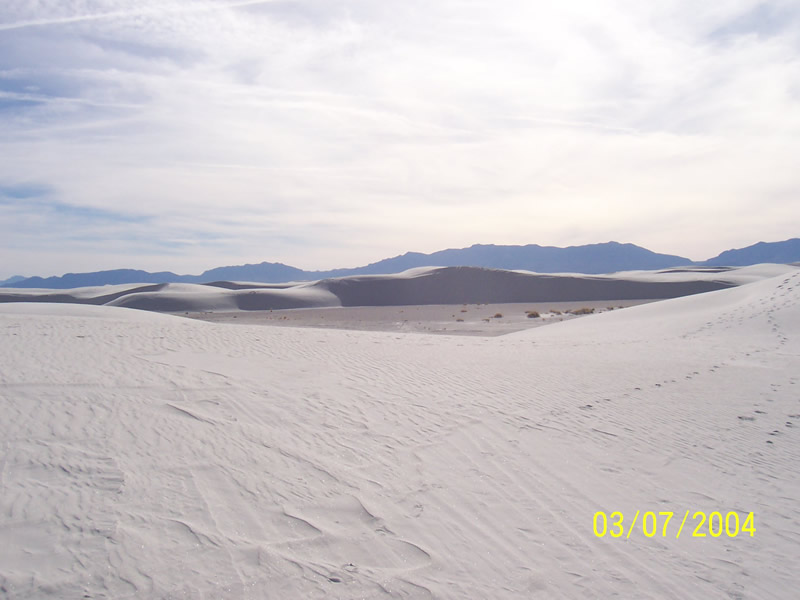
<point x="430" y="285"/>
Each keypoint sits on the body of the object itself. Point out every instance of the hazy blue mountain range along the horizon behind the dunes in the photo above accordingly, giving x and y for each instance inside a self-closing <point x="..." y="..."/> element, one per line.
<point x="609" y="257"/>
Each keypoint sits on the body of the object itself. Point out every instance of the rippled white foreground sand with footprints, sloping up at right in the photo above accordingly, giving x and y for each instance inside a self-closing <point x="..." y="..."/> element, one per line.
<point x="148" y="456"/>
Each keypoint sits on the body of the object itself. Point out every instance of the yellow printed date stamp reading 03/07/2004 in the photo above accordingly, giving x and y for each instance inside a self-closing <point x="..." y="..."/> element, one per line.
<point x="657" y="524"/>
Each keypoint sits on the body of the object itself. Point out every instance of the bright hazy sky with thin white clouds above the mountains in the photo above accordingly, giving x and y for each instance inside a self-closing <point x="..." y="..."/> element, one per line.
<point x="187" y="134"/>
